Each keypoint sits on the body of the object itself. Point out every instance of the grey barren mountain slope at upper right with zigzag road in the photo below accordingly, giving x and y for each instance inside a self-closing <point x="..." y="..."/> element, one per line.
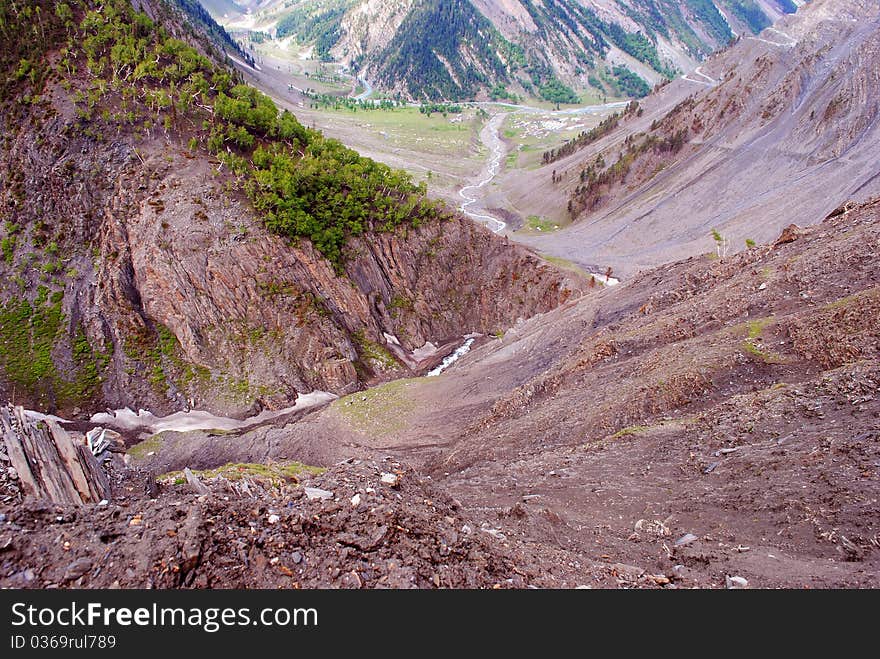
<point x="779" y="124"/>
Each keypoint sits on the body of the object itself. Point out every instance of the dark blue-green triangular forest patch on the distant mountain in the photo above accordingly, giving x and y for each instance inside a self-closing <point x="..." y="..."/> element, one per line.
<point x="437" y="34"/>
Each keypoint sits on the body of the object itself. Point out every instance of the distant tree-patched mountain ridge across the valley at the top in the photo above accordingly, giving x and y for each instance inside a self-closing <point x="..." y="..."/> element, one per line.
<point x="461" y="49"/>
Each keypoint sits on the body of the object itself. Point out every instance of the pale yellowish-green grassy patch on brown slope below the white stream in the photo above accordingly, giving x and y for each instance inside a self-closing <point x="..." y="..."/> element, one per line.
<point x="381" y="410"/>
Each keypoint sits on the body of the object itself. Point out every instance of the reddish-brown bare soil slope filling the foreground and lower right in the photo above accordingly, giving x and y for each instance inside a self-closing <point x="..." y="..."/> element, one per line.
<point x="735" y="401"/>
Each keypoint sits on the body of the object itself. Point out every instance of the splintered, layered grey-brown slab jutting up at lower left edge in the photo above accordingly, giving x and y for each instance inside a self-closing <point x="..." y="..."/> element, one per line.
<point x="50" y="464"/>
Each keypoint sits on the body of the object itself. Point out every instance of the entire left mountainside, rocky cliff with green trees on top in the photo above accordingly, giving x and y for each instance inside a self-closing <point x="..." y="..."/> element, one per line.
<point x="170" y="239"/>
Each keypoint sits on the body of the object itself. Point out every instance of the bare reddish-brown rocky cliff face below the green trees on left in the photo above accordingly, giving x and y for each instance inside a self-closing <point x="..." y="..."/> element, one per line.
<point x="137" y="272"/>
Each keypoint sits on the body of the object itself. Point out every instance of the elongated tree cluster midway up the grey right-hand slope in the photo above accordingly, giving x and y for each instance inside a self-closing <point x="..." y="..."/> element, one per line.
<point x="596" y="178"/>
